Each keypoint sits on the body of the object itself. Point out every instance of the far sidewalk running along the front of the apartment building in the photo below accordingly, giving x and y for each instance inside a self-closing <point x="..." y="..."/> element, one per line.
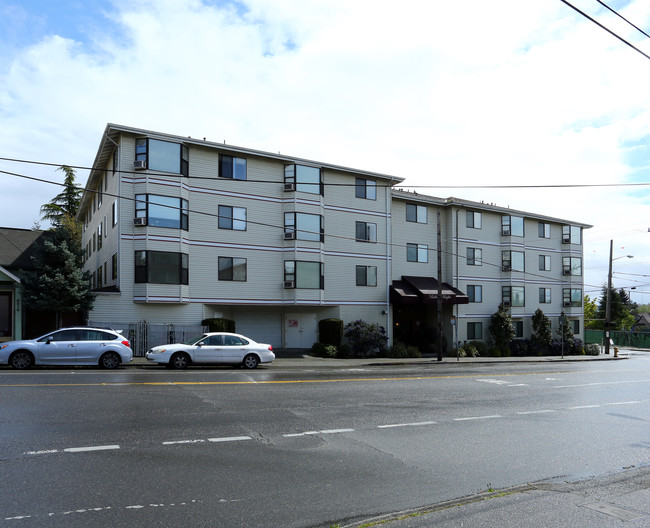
<point x="307" y="361"/>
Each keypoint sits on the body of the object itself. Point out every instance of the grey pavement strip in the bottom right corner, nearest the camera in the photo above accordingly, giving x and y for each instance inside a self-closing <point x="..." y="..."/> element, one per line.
<point x="600" y="502"/>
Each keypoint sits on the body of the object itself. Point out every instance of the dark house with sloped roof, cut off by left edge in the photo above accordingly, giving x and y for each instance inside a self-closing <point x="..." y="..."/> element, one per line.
<point x="16" y="249"/>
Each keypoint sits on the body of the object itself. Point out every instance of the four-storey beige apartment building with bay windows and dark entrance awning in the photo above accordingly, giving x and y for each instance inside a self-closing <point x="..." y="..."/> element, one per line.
<point x="177" y="230"/>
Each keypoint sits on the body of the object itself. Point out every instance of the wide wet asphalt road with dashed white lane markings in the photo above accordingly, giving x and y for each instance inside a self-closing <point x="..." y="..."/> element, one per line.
<point x="303" y="447"/>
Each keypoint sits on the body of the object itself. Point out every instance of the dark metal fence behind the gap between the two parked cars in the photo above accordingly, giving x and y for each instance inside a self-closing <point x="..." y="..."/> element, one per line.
<point x="143" y="335"/>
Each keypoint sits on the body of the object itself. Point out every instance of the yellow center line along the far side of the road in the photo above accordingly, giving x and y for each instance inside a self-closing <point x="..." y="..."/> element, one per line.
<point x="270" y="382"/>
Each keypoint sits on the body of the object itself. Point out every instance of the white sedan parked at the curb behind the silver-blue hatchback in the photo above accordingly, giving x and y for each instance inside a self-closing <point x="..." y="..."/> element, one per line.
<point x="214" y="347"/>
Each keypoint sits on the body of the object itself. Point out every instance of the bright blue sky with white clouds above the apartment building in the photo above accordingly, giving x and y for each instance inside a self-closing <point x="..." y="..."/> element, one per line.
<point x="467" y="94"/>
